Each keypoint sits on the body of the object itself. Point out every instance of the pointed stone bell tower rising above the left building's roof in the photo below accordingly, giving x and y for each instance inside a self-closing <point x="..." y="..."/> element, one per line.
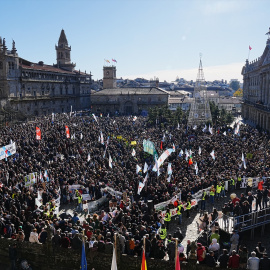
<point x="63" y="53"/>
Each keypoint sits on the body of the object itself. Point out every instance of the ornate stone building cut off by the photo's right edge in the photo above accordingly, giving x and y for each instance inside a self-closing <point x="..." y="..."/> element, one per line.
<point x="256" y="89"/>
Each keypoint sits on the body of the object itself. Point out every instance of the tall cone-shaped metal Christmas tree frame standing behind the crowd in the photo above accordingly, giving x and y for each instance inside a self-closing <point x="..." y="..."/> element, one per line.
<point x="199" y="113"/>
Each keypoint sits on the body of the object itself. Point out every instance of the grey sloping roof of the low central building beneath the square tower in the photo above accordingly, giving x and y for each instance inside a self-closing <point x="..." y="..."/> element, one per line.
<point x="132" y="91"/>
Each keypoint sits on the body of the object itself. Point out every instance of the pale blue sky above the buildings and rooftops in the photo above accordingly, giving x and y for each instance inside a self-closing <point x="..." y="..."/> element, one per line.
<point x="148" y="38"/>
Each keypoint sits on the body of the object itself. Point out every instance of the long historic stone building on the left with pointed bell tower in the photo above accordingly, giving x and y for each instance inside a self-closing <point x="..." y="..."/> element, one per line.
<point x="39" y="89"/>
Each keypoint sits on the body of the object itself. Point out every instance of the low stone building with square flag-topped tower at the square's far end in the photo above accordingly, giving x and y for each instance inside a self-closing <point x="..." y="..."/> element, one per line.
<point x="125" y="101"/>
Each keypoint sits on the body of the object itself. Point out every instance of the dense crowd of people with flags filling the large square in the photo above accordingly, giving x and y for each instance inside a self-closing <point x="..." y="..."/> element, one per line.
<point x="84" y="159"/>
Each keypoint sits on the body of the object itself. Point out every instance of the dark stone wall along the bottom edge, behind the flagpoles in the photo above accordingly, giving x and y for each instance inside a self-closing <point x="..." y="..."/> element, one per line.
<point x="44" y="257"/>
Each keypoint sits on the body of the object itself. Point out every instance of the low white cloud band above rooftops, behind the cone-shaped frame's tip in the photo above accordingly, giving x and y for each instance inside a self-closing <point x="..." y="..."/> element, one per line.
<point x="211" y="73"/>
